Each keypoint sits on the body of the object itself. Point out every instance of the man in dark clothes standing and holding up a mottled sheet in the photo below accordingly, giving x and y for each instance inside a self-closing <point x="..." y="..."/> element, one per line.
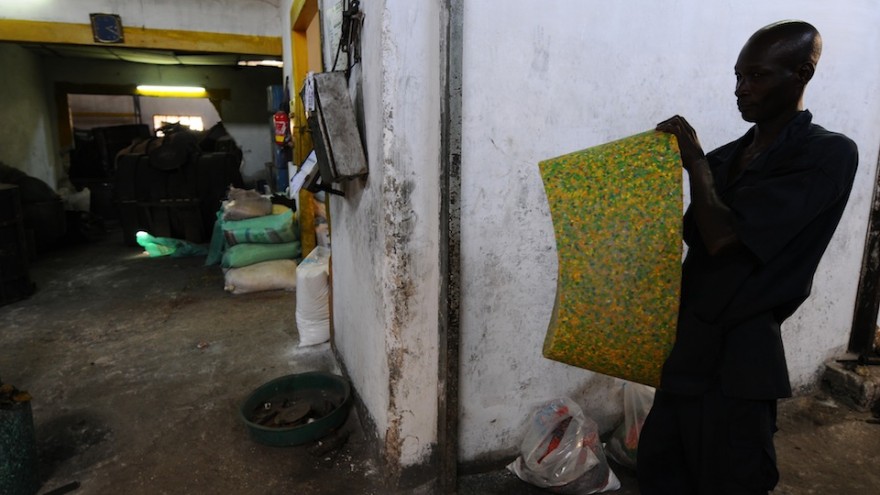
<point x="763" y="209"/>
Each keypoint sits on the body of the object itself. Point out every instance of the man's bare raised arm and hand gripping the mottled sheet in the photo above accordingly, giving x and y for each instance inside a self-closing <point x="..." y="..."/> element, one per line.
<point x="714" y="219"/>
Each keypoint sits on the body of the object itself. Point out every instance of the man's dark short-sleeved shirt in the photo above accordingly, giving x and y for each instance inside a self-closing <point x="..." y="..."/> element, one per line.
<point x="786" y="206"/>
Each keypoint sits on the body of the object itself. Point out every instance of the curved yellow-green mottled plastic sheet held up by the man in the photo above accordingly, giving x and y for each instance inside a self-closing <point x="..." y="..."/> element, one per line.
<point x="616" y="212"/>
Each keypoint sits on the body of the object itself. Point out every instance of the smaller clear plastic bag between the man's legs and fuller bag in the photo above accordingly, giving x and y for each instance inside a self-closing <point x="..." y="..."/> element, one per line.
<point x="624" y="443"/>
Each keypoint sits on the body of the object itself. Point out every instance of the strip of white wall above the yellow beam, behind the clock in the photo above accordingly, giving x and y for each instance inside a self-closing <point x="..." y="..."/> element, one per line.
<point x="258" y="17"/>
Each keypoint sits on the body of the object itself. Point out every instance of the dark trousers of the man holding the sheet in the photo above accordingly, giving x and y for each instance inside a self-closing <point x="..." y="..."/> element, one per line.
<point x="707" y="445"/>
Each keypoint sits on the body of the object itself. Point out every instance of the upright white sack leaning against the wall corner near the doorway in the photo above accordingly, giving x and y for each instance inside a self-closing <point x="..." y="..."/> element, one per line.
<point x="313" y="297"/>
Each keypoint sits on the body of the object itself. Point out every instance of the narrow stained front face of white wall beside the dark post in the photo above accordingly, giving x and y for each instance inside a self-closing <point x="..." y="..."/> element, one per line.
<point x="410" y="111"/>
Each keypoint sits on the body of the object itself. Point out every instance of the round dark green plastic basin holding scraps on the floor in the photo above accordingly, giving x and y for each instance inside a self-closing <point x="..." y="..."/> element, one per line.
<point x="331" y="392"/>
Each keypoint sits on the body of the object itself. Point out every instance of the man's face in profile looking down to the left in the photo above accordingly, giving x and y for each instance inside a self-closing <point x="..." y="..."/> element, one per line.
<point x="767" y="83"/>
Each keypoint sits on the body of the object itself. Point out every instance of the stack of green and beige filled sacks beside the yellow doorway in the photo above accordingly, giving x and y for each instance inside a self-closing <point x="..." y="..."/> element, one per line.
<point x="256" y="243"/>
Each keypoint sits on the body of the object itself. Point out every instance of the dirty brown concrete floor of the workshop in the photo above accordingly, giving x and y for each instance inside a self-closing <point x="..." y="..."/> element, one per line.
<point x="138" y="366"/>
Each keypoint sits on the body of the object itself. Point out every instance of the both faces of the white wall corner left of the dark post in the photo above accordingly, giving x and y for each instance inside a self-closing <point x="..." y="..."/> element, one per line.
<point x="386" y="231"/>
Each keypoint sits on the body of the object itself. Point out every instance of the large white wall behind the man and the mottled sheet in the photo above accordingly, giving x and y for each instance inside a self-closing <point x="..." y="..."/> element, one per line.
<point x="543" y="80"/>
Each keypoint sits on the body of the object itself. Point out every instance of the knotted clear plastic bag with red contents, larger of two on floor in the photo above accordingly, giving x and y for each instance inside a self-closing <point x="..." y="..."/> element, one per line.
<point x="562" y="452"/>
